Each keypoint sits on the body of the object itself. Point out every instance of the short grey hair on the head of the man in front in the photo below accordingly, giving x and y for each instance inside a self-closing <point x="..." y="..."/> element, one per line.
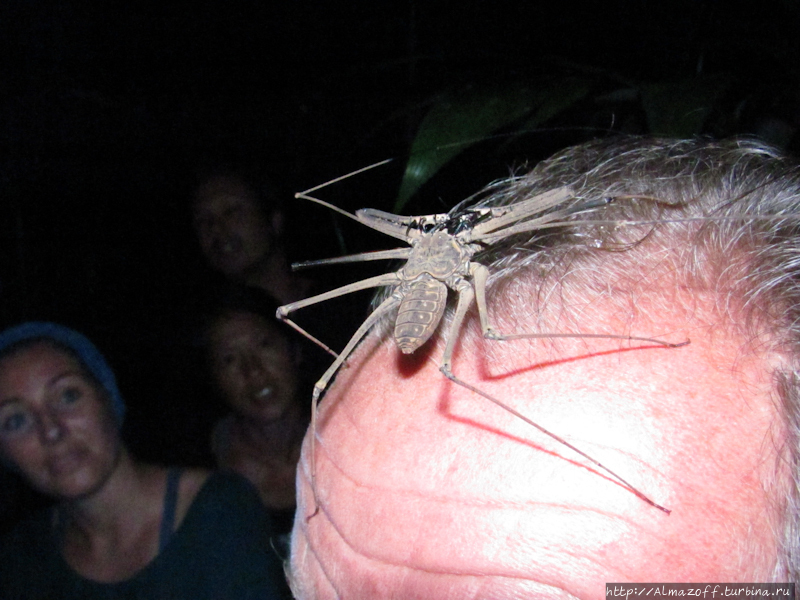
<point x="724" y="216"/>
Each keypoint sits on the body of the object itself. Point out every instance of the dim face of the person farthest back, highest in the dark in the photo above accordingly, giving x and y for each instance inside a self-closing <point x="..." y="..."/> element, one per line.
<point x="234" y="234"/>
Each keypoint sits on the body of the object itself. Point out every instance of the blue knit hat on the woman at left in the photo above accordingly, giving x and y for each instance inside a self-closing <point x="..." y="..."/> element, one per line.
<point x="88" y="354"/>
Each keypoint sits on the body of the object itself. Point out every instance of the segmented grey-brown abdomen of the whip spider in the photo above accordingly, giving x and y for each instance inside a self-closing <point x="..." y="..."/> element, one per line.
<point x="424" y="299"/>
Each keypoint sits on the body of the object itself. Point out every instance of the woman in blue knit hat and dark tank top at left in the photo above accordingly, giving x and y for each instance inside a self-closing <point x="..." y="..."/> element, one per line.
<point x="118" y="528"/>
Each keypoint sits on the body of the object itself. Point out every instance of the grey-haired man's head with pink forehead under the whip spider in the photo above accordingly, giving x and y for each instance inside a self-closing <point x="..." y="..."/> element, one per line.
<point x="427" y="490"/>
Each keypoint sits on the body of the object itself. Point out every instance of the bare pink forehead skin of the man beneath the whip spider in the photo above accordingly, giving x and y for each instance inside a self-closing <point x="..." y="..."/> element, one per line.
<point x="428" y="491"/>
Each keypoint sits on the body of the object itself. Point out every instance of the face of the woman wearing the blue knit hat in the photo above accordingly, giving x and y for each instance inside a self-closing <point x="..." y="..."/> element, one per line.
<point x="56" y="425"/>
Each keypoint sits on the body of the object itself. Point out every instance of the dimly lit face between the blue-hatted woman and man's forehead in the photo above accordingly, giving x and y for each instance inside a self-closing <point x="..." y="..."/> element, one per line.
<point x="253" y="366"/>
